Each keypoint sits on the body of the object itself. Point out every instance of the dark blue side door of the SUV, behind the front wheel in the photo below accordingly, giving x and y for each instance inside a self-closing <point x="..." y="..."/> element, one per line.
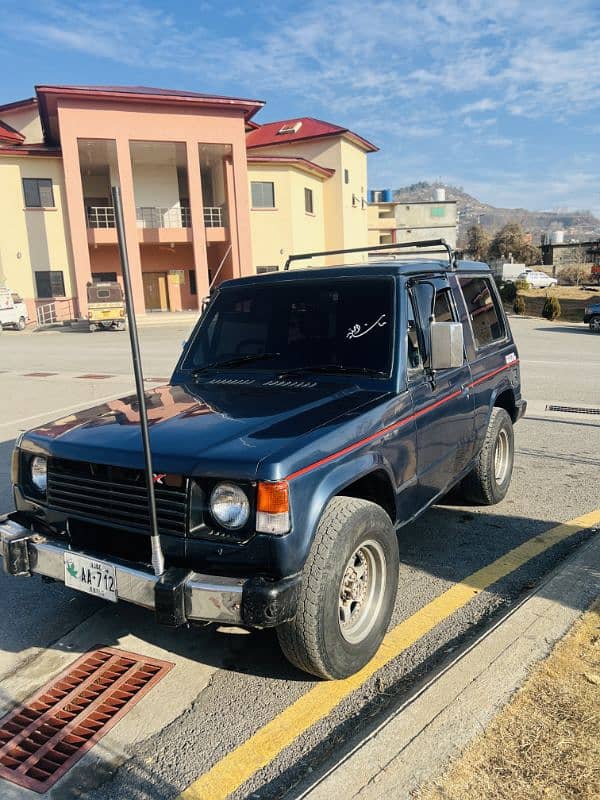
<point x="442" y="400"/>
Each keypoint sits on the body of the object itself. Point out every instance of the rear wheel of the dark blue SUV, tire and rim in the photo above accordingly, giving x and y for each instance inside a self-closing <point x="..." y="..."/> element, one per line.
<point x="489" y="480"/>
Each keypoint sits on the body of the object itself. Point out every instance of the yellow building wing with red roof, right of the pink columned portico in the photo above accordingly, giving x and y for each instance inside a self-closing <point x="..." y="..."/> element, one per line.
<point x="308" y="189"/>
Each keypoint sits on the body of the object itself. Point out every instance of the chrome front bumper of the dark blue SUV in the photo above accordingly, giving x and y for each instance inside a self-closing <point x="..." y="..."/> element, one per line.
<point x="205" y="597"/>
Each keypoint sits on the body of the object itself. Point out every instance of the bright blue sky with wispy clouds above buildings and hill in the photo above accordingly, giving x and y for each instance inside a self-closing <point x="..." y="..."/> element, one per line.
<point x="502" y="98"/>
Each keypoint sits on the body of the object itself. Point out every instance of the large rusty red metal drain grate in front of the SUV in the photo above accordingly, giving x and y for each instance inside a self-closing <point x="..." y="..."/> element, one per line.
<point x="41" y="739"/>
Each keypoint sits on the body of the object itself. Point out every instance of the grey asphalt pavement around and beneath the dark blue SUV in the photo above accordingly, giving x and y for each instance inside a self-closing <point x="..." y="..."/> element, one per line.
<point x="237" y="681"/>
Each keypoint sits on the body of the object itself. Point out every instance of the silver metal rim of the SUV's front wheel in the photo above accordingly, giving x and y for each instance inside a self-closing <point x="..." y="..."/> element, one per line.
<point x="361" y="593"/>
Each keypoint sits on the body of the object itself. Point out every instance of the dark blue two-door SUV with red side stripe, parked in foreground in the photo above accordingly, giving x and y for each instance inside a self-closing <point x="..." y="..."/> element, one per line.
<point x="311" y="415"/>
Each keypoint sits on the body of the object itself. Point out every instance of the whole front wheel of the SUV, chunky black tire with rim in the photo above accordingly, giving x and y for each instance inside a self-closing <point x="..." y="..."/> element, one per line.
<point x="333" y="634"/>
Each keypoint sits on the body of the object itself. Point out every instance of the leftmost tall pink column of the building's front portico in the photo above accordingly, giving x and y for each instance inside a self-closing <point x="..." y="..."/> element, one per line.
<point x="77" y="221"/>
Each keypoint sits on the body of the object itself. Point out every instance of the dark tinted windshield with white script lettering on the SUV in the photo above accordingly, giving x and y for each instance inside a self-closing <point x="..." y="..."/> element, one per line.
<point x="341" y="325"/>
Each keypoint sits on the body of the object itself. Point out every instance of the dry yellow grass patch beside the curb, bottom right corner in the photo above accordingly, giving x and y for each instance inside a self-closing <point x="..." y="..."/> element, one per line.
<point x="545" y="744"/>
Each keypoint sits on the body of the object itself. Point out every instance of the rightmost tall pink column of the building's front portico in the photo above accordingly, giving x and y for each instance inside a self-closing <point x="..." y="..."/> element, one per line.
<point x="239" y="208"/>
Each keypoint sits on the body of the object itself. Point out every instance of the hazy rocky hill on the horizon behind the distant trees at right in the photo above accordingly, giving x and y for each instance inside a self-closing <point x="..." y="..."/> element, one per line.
<point x="578" y="225"/>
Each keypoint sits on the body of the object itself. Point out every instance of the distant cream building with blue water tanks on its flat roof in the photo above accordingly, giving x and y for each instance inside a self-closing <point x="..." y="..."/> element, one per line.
<point x="394" y="222"/>
